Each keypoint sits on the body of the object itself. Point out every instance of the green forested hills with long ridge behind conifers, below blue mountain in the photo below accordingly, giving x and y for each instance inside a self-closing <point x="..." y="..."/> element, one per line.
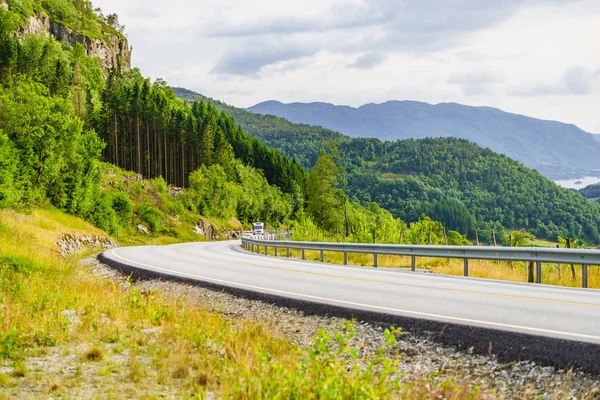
<point x="451" y="180"/>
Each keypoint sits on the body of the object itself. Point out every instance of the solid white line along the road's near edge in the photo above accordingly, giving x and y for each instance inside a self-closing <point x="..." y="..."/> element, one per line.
<point x="362" y="305"/>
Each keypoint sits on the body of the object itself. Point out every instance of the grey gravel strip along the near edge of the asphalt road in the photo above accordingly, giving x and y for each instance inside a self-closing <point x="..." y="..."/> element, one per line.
<point x="420" y="356"/>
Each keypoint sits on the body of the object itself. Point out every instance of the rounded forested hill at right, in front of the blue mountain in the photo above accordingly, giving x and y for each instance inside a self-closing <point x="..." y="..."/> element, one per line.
<point x="492" y="187"/>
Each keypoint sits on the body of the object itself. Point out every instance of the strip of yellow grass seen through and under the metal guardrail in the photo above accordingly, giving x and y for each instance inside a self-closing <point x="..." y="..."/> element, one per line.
<point x="552" y="274"/>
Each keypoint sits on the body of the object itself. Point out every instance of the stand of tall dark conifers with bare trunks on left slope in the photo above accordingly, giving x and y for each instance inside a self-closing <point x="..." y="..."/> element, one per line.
<point x="149" y="131"/>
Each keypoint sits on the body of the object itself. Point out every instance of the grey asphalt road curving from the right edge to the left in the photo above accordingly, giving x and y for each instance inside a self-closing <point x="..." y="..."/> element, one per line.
<point x="558" y="326"/>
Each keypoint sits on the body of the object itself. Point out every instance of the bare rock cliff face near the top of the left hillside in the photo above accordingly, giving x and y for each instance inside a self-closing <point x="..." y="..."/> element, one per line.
<point x="113" y="52"/>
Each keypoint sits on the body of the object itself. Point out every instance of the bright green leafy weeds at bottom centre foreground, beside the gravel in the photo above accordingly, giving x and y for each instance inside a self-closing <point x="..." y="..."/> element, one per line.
<point x="332" y="369"/>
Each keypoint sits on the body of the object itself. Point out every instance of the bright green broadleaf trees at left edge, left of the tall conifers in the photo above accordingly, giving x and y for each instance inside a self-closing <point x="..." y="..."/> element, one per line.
<point x="56" y="158"/>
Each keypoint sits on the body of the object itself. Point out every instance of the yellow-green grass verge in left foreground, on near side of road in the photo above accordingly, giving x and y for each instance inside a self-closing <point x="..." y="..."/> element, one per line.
<point x="65" y="332"/>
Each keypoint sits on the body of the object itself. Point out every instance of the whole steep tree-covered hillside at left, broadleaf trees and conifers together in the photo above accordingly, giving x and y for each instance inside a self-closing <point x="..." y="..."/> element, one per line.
<point x="62" y="111"/>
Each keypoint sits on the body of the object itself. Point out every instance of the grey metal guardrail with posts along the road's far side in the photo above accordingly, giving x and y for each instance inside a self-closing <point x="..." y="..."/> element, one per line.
<point x="527" y="254"/>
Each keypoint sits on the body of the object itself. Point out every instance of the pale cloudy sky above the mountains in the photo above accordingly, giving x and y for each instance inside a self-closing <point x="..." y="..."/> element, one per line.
<point x="535" y="57"/>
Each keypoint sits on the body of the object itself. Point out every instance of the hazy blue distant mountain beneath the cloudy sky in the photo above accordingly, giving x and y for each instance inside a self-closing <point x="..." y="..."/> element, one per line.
<point x="555" y="149"/>
